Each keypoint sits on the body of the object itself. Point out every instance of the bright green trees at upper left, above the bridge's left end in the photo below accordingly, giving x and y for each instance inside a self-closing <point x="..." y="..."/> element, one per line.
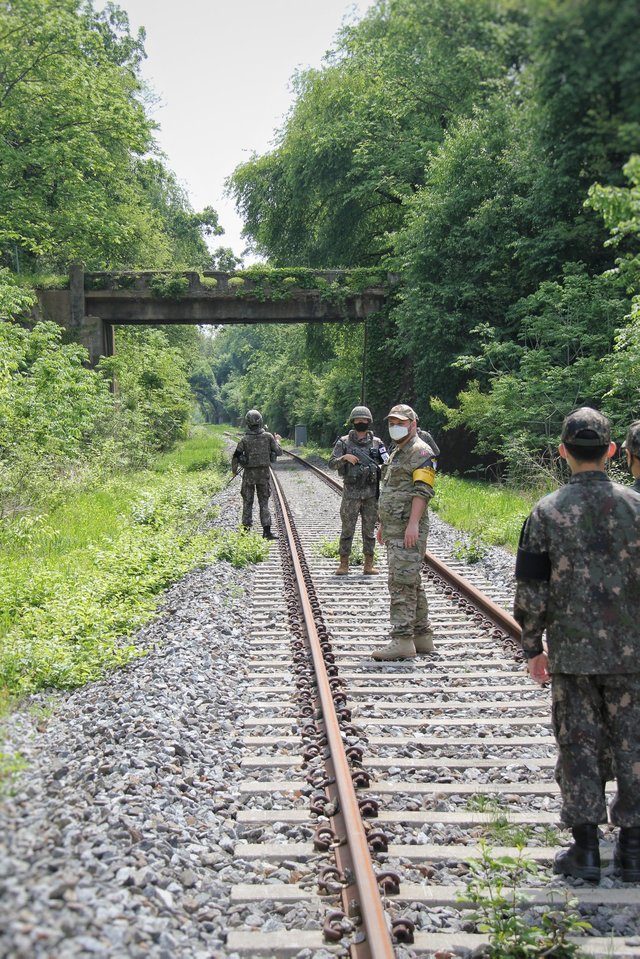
<point x="76" y="177"/>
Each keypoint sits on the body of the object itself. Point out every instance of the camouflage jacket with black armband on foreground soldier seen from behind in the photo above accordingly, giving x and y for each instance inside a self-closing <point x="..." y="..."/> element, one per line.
<point x="580" y="549"/>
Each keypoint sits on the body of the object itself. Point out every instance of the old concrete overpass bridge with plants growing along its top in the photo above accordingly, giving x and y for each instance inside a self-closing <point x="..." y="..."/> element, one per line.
<point x="96" y="303"/>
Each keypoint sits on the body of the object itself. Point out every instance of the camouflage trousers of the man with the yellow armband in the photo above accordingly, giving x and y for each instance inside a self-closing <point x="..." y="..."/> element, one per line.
<point x="409" y="609"/>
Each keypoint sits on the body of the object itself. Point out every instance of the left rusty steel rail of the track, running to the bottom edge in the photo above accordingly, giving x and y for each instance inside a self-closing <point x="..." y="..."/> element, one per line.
<point x="378" y="944"/>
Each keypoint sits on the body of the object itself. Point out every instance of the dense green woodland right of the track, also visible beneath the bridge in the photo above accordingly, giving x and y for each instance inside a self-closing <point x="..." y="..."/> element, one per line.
<point x="481" y="150"/>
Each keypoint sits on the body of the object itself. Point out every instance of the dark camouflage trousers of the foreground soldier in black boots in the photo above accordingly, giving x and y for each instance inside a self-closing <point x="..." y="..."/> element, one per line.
<point x="596" y="722"/>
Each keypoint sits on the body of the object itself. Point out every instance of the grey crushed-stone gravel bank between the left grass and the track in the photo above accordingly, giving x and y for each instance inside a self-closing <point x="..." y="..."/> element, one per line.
<point x="117" y="840"/>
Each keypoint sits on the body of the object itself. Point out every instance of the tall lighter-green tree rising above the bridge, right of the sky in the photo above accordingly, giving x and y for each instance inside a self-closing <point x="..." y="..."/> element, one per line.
<point x="363" y="128"/>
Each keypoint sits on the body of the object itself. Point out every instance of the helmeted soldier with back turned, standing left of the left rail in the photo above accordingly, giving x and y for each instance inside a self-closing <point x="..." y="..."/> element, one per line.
<point x="255" y="452"/>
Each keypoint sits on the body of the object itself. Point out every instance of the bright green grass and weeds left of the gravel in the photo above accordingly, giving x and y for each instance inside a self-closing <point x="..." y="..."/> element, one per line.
<point x="77" y="580"/>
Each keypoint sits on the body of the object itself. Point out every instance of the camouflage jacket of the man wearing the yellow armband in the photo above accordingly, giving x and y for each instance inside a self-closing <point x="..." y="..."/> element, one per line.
<point x="410" y="472"/>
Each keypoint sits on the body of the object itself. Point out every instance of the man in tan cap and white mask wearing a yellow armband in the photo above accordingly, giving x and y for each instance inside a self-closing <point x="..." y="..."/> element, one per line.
<point x="405" y="491"/>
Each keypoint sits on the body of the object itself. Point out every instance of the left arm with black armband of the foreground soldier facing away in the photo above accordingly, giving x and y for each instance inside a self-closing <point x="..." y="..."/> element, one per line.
<point x="533" y="571"/>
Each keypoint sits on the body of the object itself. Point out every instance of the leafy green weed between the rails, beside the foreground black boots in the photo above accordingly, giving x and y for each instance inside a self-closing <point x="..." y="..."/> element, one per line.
<point x="494" y="889"/>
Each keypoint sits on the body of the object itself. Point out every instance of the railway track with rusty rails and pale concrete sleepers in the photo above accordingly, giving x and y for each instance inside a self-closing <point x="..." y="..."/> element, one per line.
<point x="371" y="786"/>
